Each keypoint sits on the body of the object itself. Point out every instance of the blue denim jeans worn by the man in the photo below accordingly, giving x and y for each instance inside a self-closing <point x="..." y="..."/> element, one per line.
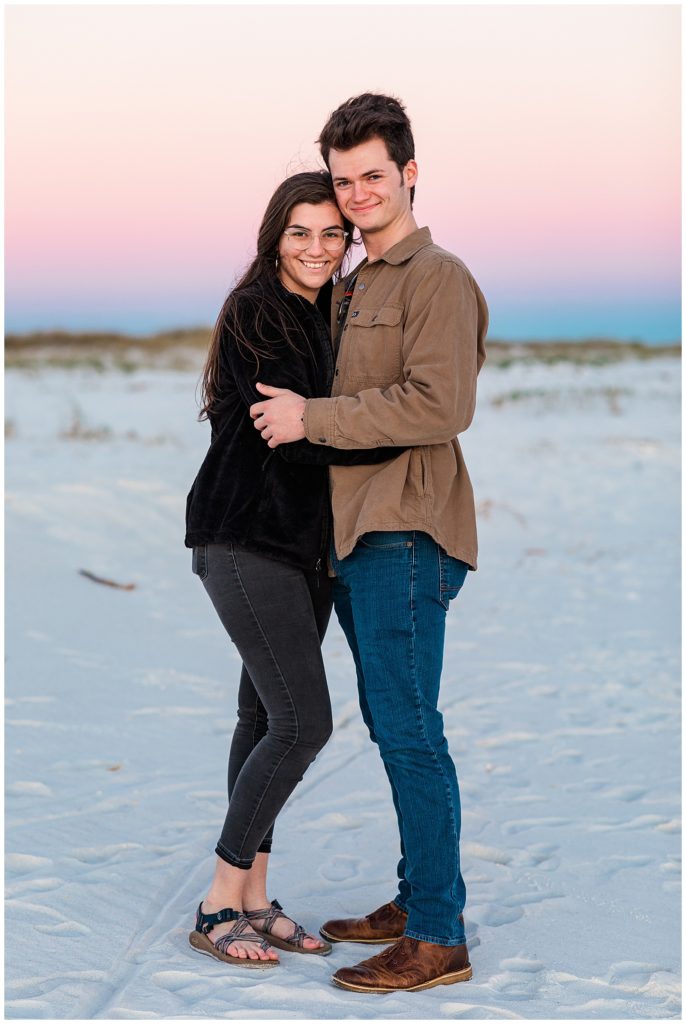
<point x="392" y="595"/>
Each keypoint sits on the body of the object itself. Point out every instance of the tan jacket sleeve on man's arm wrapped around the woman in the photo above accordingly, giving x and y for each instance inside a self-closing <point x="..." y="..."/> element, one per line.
<point x="443" y="351"/>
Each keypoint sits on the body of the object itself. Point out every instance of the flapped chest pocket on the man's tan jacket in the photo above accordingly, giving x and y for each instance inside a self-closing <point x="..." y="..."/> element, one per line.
<point x="374" y="339"/>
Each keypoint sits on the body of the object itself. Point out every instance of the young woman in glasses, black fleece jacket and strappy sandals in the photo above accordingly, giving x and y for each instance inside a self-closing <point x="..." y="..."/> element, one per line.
<point x="258" y="520"/>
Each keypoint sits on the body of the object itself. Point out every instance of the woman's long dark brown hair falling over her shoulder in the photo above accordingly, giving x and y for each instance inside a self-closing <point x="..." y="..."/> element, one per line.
<point x="309" y="187"/>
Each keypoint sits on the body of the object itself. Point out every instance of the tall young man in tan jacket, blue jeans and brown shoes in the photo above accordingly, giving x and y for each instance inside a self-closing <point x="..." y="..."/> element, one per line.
<point x="409" y="326"/>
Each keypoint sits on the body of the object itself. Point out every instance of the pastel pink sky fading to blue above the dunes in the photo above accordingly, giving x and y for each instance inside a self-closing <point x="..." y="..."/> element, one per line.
<point x="143" y="144"/>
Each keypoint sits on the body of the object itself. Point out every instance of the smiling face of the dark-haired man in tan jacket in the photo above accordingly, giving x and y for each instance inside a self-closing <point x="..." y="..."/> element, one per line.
<point x="370" y="189"/>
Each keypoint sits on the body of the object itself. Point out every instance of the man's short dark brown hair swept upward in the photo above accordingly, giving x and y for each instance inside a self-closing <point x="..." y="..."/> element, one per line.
<point x="370" y="116"/>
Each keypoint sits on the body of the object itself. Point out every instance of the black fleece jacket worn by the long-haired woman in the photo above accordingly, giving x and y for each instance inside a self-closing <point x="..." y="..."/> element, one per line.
<point x="272" y="501"/>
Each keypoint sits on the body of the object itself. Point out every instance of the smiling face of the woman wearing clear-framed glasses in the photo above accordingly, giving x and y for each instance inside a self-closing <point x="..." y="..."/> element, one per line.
<point x="305" y="271"/>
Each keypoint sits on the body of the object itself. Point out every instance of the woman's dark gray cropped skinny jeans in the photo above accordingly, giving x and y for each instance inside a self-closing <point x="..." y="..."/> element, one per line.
<point x="277" y="616"/>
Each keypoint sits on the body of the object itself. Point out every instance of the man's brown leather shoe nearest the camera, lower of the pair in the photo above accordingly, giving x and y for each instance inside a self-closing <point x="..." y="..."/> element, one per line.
<point x="408" y="966"/>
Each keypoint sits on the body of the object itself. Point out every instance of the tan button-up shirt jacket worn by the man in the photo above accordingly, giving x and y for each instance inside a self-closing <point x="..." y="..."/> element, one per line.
<point x="406" y="375"/>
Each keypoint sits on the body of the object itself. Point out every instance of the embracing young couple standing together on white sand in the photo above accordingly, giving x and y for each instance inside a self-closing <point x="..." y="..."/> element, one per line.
<point x="334" y="479"/>
